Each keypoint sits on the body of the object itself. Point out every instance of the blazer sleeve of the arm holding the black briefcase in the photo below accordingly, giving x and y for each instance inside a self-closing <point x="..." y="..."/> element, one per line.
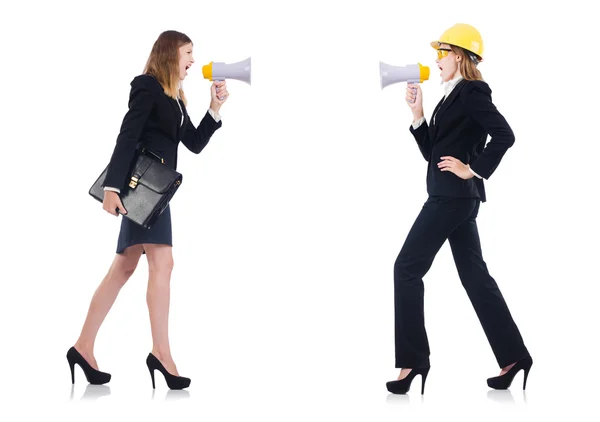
<point x="142" y="97"/>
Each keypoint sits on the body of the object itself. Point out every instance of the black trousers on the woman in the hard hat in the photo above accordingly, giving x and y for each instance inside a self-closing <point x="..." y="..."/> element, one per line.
<point x="444" y="218"/>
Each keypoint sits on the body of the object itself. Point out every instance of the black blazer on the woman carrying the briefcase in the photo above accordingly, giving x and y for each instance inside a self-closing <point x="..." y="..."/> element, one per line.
<point x="154" y="121"/>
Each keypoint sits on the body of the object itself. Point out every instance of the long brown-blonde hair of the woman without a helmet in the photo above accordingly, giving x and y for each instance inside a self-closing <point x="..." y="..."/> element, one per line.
<point x="163" y="62"/>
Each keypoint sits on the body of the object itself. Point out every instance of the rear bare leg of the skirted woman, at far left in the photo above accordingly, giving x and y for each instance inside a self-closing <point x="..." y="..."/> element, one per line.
<point x="120" y="271"/>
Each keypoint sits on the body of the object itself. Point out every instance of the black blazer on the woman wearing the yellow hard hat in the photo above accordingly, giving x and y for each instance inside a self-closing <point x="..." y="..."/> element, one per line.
<point x="462" y="123"/>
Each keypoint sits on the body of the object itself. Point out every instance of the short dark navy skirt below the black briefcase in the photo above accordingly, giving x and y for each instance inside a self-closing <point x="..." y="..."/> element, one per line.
<point x="134" y="234"/>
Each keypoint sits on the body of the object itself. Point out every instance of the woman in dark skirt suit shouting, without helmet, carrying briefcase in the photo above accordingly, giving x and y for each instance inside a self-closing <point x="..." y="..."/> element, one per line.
<point x="157" y="120"/>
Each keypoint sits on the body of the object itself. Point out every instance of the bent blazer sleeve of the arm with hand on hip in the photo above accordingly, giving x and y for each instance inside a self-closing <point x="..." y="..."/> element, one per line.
<point x="477" y="98"/>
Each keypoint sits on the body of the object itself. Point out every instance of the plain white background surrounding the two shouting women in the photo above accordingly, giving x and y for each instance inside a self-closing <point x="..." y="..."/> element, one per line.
<point x="288" y="224"/>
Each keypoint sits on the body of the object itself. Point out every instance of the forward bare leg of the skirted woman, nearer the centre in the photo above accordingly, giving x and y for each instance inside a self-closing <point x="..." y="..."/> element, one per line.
<point x="160" y="265"/>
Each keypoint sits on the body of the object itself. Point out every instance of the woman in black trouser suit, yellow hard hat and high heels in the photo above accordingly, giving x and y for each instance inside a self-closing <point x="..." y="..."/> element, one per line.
<point x="454" y="145"/>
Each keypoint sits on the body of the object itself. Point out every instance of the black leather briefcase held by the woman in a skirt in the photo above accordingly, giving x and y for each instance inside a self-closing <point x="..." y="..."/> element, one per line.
<point x="151" y="187"/>
